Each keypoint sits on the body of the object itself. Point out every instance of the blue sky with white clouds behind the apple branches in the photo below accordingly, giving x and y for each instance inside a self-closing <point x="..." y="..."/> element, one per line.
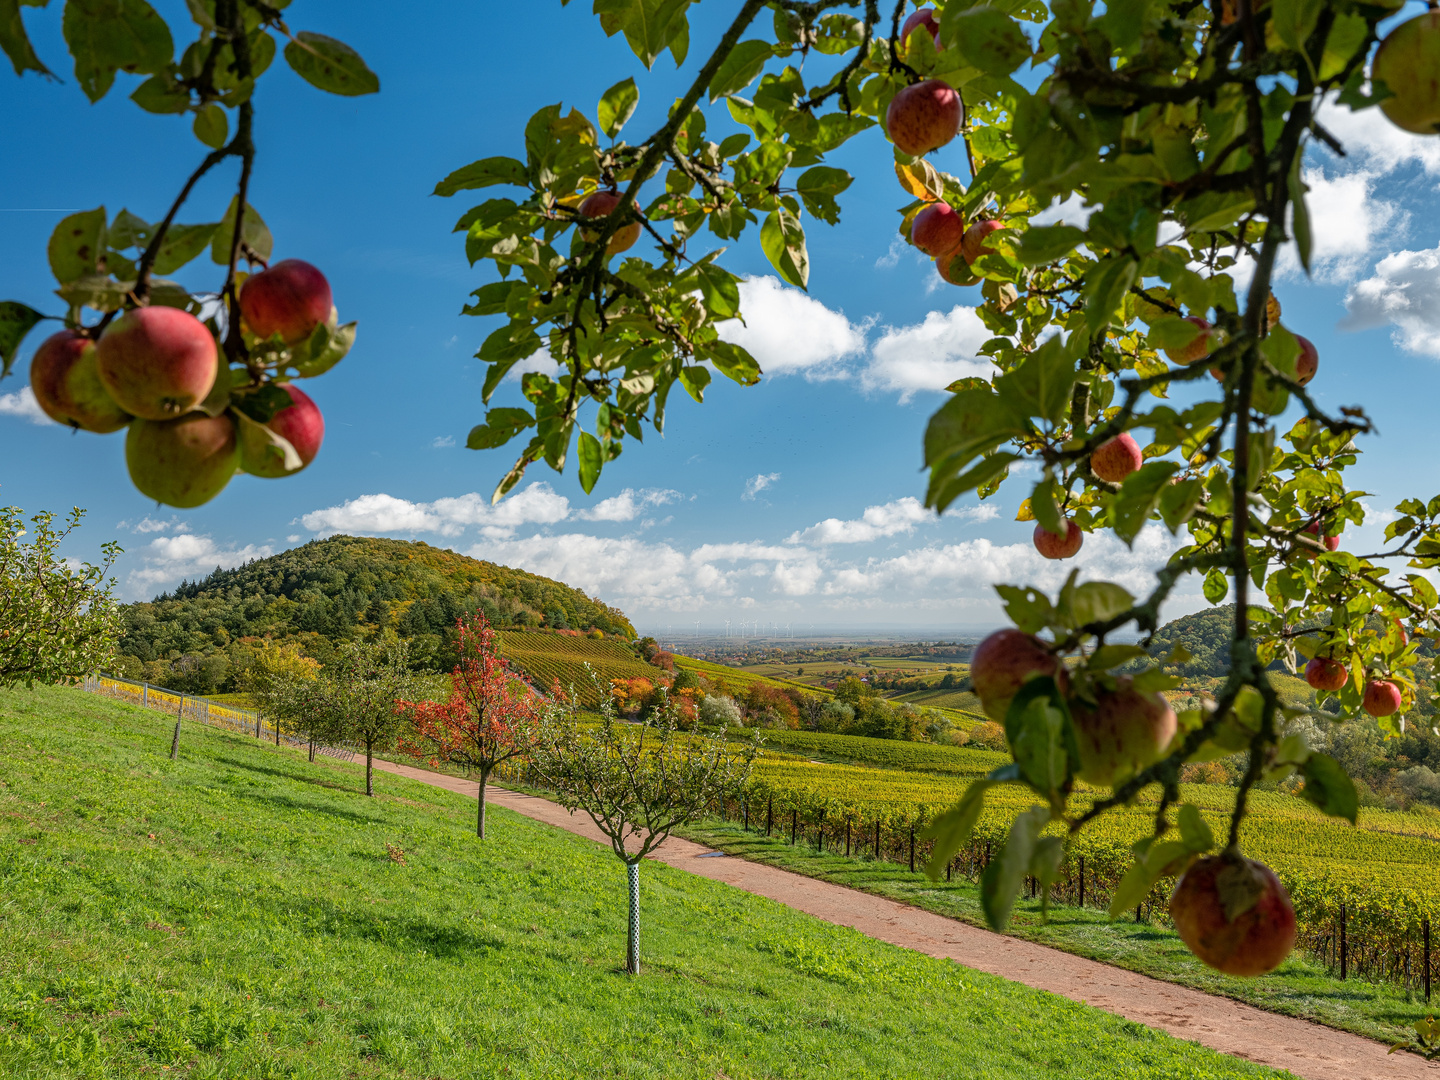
<point x="790" y="503"/>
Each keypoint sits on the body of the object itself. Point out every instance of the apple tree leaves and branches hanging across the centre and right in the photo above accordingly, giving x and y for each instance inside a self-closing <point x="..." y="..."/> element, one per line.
<point x="1183" y="129"/>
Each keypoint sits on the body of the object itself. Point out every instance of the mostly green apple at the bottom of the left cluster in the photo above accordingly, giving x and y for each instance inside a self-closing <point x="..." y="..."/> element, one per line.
<point x="182" y="463"/>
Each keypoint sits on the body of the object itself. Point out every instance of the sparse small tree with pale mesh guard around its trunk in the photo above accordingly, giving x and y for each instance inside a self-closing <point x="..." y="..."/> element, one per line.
<point x="637" y="783"/>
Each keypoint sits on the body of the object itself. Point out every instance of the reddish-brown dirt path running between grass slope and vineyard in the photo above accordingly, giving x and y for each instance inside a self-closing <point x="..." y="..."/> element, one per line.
<point x="1308" y="1050"/>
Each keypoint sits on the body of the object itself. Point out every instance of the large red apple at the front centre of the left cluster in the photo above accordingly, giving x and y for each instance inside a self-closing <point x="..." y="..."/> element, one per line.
<point x="158" y="362"/>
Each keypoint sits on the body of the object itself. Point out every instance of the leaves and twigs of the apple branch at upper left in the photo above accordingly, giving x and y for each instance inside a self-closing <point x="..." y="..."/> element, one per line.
<point x="106" y="264"/>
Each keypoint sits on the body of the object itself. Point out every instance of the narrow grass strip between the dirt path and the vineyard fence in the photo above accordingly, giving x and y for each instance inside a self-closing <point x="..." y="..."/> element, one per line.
<point x="1300" y="989"/>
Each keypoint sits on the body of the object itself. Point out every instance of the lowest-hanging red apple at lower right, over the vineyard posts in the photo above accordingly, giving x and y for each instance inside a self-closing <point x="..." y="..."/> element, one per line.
<point x="1235" y="915"/>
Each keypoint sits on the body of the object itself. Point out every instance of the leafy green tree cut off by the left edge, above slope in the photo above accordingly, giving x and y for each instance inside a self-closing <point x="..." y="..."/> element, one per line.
<point x="58" y="618"/>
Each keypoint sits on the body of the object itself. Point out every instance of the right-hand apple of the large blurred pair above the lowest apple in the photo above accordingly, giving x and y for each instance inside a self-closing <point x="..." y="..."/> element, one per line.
<point x="1124" y="732"/>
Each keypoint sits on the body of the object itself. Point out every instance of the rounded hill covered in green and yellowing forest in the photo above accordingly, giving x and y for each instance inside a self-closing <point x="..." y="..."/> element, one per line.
<point x="339" y="590"/>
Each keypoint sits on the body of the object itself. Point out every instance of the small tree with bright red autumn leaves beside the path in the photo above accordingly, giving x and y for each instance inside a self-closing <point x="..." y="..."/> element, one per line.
<point x="492" y="715"/>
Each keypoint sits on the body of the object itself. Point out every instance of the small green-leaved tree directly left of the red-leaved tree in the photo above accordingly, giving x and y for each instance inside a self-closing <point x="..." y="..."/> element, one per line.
<point x="362" y="693"/>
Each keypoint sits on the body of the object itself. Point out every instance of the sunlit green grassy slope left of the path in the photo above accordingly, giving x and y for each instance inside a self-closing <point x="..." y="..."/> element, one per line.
<point x="237" y="915"/>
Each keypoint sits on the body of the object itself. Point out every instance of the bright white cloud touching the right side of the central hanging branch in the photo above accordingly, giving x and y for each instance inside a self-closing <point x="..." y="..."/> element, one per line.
<point x="793" y="333"/>
